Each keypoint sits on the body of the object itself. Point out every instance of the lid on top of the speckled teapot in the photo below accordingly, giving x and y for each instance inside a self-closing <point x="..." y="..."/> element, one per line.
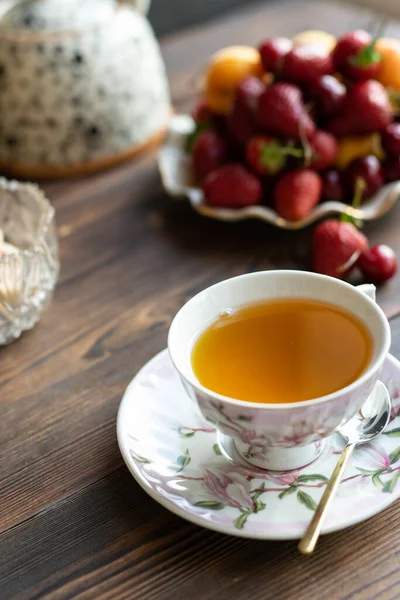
<point x="53" y="15"/>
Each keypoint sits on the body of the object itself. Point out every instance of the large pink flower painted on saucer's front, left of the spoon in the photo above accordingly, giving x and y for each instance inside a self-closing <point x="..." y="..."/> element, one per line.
<point x="232" y="488"/>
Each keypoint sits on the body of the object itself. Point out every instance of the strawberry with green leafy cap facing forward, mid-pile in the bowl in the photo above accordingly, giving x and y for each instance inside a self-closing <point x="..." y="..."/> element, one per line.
<point x="268" y="156"/>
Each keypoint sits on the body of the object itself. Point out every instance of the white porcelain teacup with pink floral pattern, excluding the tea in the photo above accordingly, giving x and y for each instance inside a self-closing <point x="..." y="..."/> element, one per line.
<point x="278" y="436"/>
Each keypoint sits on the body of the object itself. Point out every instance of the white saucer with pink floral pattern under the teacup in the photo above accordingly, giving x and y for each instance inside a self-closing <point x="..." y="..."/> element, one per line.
<point x="184" y="464"/>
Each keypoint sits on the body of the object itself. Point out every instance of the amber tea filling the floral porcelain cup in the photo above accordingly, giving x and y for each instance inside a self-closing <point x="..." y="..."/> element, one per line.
<point x="282" y="351"/>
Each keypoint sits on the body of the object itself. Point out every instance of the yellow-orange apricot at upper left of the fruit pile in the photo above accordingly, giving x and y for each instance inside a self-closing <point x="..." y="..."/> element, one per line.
<point x="226" y="68"/>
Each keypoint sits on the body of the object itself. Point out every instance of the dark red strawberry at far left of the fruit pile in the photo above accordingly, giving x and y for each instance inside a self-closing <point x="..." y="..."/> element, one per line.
<point x="208" y="152"/>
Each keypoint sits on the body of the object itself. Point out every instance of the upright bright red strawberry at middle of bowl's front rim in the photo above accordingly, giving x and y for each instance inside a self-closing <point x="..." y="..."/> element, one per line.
<point x="296" y="193"/>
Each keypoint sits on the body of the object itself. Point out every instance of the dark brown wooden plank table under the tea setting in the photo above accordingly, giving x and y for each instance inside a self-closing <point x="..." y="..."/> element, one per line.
<point x="73" y="522"/>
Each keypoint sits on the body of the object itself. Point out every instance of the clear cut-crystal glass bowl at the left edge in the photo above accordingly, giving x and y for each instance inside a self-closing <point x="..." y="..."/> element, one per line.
<point x="27" y="276"/>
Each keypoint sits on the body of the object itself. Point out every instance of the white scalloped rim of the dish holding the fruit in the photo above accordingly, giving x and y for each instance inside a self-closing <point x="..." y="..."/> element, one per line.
<point x="178" y="181"/>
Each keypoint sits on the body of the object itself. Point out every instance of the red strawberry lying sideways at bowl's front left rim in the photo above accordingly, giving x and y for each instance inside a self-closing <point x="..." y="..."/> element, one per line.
<point x="232" y="186"/>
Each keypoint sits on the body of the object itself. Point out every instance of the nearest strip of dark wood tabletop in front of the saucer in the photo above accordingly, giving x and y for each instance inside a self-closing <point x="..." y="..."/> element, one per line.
<point x="113" y="541"/>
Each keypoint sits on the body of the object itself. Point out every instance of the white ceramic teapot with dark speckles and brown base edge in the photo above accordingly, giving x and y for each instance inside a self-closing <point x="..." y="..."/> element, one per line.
<point x="82" y="85"/>
